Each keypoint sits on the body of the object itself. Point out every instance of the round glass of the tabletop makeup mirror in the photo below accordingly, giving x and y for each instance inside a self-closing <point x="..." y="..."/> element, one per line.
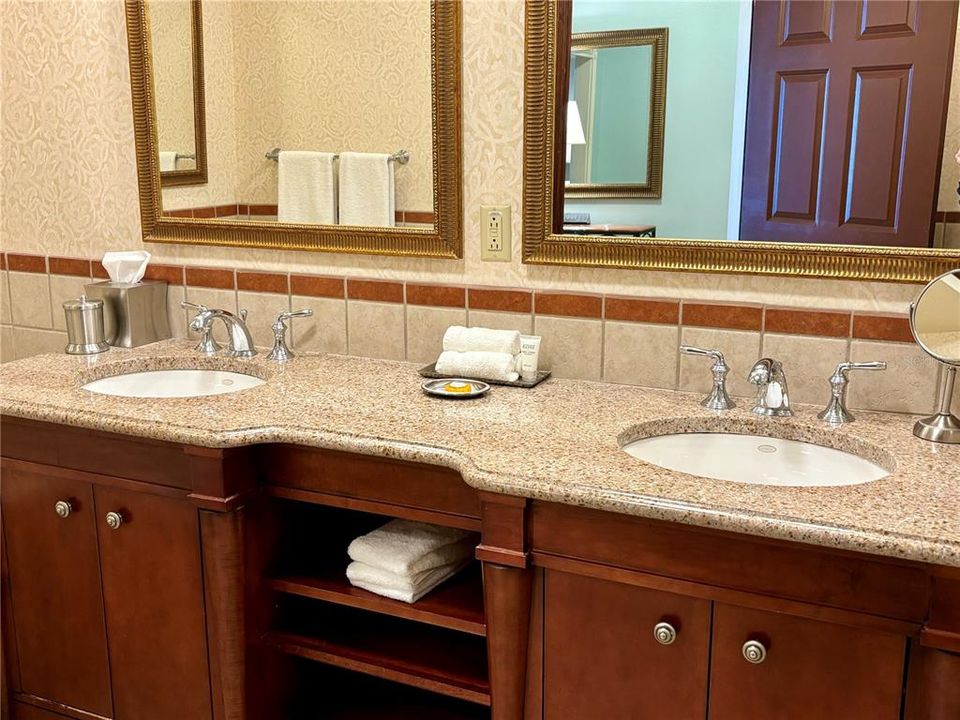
<point x="935" y="318"/>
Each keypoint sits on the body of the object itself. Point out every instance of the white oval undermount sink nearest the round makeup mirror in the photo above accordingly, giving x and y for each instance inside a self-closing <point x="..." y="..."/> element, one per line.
<point x="755" y="459"/>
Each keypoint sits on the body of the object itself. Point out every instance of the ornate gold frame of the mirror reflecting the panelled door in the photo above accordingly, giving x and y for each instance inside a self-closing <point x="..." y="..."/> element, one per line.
<point x="546" y="59"/>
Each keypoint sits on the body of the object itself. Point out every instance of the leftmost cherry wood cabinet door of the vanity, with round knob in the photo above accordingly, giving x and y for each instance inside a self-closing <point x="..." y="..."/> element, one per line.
<point x="54" y="575"/>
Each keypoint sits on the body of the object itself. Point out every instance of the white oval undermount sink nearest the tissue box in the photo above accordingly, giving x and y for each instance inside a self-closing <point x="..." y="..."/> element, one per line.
<point x="173" y="383"/>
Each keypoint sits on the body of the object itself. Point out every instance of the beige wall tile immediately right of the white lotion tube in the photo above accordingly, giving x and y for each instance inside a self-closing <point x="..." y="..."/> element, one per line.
<point x="571" y="347"/>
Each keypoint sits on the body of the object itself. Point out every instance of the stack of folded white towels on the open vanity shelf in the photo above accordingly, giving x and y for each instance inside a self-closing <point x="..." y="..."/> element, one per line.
<point x="405" y="560"/>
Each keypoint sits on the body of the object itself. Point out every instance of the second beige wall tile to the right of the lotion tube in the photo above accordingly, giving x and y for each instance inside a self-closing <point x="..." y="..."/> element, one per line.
<point x="640" y="354"/>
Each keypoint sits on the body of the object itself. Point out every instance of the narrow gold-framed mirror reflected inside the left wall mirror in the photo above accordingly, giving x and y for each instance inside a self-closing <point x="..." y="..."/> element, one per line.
<point x="179" y="88"/>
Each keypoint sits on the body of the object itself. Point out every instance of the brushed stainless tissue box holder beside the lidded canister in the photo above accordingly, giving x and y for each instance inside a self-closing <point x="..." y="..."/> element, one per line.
<point x="134" y="314"/>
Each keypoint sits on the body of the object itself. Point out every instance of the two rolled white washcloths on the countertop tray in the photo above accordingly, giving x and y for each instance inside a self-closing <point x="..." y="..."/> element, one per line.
<point x="480" y="353"/>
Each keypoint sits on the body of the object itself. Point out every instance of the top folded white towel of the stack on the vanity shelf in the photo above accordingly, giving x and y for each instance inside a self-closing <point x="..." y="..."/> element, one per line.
<point x="405" y="547"/>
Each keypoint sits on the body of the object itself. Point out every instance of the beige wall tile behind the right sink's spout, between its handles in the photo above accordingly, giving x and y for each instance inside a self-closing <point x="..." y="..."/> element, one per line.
<point x="808" y="363"/>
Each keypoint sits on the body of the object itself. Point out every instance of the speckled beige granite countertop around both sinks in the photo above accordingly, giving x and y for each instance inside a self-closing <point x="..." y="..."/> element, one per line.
<point x="558" y="442"/>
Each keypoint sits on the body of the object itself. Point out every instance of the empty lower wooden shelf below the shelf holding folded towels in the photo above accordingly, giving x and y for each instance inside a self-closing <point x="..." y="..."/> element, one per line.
<point x="425" y="657"/>
